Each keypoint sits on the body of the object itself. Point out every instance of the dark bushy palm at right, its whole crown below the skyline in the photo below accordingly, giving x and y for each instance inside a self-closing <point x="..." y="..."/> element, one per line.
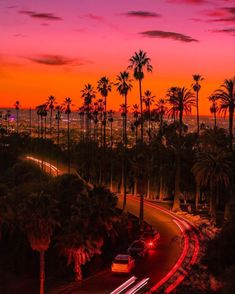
<point x="212" y="171"/>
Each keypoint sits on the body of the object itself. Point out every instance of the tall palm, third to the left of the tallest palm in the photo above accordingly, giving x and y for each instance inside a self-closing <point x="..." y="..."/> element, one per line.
<point x="88" y="94"/>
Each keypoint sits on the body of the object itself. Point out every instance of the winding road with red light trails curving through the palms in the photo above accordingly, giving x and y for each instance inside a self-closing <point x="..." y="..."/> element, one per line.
<point x="166" y="267"/>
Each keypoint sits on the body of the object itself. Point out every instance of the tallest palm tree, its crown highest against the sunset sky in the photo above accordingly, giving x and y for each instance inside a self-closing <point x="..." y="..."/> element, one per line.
<point x="138" y="63"/>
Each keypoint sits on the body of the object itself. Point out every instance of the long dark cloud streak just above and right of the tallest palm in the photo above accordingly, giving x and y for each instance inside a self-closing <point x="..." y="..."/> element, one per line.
<point x="168" y="35"/>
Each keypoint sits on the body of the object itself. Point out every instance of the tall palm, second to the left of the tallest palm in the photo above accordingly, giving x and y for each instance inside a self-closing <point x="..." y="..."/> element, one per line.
<point x="104" y="87"/>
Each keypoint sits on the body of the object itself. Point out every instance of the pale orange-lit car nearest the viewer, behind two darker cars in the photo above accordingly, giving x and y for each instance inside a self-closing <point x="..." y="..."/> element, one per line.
<point x="122" y="263"/>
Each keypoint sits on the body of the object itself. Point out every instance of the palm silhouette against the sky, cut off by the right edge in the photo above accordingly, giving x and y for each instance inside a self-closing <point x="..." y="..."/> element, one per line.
<point x="226" y="97"/>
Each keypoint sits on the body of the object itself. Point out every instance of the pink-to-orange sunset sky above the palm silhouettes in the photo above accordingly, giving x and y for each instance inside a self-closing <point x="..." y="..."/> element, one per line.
<point x="55" y="47"/>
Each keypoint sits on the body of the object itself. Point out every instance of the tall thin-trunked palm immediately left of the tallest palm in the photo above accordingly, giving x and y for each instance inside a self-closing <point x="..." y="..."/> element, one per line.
<point x="124" y="86"/>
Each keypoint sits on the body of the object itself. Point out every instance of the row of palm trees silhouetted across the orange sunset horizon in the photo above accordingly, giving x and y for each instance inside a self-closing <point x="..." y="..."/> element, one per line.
<point x="179" y="101"/>
